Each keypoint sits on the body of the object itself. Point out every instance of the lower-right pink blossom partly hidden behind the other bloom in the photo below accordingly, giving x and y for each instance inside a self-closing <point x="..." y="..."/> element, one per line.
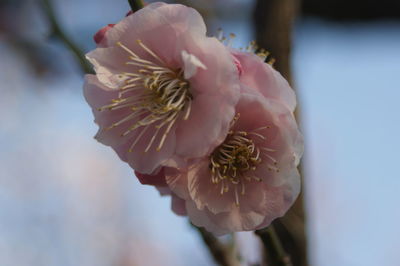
<point x="247" y="181"/>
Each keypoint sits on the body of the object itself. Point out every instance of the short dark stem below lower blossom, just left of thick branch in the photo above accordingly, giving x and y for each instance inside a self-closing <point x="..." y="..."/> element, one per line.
<point x="274" y="247"/>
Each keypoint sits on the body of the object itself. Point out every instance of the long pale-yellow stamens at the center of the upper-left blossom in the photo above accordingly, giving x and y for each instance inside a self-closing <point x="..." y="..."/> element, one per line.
<point x="154" y="94"/>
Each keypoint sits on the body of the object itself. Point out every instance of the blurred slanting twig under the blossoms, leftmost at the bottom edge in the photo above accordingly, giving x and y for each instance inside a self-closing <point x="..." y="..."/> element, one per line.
<point x="221" y="253"/>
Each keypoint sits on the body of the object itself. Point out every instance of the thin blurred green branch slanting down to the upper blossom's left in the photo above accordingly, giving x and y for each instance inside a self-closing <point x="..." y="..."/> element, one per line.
<point x="59" y="33"/>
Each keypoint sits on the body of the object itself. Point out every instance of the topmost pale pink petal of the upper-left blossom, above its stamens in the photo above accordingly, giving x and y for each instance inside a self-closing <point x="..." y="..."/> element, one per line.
<point x="159" y="26"/>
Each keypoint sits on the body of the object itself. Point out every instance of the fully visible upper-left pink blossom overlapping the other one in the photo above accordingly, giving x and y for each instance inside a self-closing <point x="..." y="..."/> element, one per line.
<point x="158" y="78"/>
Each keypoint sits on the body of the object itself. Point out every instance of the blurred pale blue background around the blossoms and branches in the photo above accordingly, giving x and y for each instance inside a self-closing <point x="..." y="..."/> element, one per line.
<point x="67" y="200"/>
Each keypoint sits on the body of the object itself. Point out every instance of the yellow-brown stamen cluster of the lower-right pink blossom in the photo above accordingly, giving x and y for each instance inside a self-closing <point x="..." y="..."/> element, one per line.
<point x="233" y="163"/>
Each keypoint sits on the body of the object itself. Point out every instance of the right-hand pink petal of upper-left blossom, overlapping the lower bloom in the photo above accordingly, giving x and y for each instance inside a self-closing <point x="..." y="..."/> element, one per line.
<point x="215" y="93"/>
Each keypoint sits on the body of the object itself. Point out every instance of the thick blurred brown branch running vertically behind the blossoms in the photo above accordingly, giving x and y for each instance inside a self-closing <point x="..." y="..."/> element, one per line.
<point x="274" y="21"/>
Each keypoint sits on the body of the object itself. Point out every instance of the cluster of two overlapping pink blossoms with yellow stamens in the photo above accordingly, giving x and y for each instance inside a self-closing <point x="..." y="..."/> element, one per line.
<point x="210" y="125"/>
